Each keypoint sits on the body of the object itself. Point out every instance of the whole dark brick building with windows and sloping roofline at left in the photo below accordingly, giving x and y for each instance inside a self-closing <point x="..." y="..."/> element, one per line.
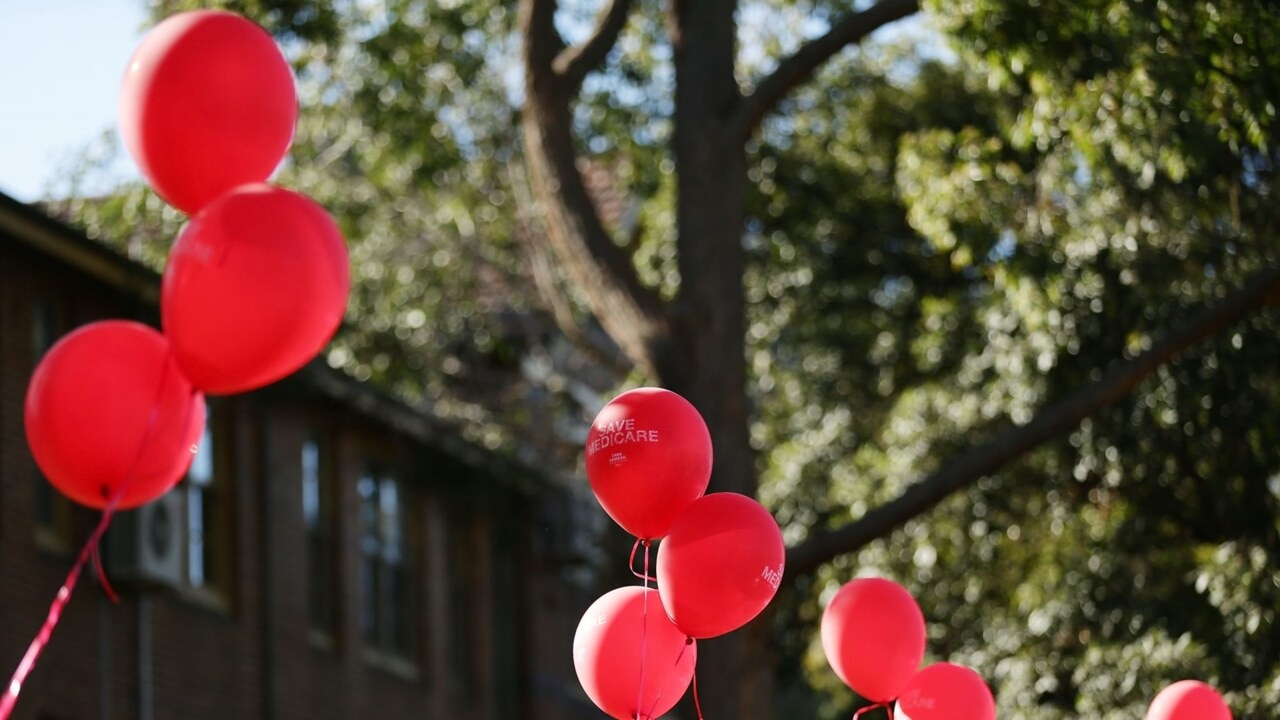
<point x="331" y="554"/>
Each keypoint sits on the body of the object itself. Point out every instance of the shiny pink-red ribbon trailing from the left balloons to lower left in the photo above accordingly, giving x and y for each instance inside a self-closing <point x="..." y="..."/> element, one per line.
<point x="65" y="594"/>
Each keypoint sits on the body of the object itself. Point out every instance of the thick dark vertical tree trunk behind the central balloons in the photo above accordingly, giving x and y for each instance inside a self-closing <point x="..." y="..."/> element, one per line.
<point x="735" y="671"/>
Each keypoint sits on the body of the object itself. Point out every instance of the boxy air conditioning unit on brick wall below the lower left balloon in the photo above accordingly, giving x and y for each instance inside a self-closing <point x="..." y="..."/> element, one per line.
<point x="144" y="546"/>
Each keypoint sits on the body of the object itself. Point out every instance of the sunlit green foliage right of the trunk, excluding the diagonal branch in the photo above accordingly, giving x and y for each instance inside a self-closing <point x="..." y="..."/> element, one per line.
<point x="1089" y="179"/>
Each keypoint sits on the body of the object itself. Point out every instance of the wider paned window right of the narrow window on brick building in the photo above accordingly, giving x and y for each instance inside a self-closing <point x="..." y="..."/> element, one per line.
<point x="386" y="577"/>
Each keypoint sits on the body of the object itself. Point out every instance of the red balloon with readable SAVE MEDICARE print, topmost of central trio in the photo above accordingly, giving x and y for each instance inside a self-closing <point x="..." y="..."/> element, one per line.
<point x="648" y="457"/>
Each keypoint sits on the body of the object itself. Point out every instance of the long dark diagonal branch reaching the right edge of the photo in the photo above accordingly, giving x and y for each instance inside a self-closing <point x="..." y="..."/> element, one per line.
<point x="1049" y="423"/>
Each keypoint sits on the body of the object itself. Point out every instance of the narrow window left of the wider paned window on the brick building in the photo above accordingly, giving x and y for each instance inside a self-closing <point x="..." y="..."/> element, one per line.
<point x="321" y="523"/>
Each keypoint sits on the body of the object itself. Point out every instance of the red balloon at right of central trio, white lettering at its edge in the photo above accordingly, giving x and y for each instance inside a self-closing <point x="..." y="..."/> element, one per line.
<point x="720" y="564"/>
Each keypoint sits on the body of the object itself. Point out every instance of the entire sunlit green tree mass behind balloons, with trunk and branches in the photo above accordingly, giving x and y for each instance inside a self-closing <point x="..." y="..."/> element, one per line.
<point x="986" y="299"/>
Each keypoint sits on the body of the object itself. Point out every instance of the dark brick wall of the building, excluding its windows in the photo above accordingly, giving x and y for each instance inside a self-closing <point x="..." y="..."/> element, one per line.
<point x="483" y="599"/>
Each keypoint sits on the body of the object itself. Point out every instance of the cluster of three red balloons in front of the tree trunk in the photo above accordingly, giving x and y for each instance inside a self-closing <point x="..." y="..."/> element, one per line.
<point x="720" y="558"/>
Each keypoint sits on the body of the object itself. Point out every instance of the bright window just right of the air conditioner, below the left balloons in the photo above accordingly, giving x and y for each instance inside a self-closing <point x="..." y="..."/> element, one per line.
<point x="208" y="543"/>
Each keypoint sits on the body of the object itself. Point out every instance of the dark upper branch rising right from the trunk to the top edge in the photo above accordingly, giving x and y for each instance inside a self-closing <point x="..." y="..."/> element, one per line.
<point x="802" y="65"/>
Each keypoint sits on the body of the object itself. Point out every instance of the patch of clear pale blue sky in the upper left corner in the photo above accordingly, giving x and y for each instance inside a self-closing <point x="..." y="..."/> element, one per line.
<point x="61" y="70"/>
